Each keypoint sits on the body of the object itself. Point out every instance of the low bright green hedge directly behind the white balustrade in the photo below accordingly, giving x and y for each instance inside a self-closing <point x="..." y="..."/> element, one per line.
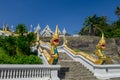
<point x="18" y="59"/>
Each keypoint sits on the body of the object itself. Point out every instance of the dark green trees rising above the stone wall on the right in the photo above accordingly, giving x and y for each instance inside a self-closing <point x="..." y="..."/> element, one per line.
<point x="110" y="29"/>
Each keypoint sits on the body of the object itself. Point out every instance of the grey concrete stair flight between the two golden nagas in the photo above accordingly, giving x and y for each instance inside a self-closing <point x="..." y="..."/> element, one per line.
<point x="72" y="70"/>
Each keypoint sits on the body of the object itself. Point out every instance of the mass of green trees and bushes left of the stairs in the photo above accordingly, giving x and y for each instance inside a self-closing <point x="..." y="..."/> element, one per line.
<point x="16" y="49"/>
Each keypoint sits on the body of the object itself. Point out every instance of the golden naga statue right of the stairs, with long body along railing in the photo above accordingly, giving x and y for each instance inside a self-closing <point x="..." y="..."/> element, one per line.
<point x="100" y="48"/>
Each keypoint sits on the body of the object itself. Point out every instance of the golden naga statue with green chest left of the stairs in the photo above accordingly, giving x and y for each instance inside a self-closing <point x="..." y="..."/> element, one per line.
<point x="52" y="56"/>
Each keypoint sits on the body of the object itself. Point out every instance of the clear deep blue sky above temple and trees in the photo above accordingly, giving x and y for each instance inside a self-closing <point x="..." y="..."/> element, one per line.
<point x="66" y="13"/>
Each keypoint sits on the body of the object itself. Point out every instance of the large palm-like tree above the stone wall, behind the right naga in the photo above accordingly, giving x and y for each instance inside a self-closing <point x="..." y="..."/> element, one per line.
<point x="90" y="24"/>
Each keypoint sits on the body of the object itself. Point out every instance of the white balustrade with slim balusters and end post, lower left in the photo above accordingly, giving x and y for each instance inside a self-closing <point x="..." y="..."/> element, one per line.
<point x="31" y="72"/>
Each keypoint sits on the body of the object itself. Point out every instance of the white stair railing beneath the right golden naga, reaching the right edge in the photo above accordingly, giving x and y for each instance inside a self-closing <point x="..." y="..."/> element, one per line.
<point x="100" y="71"/>
